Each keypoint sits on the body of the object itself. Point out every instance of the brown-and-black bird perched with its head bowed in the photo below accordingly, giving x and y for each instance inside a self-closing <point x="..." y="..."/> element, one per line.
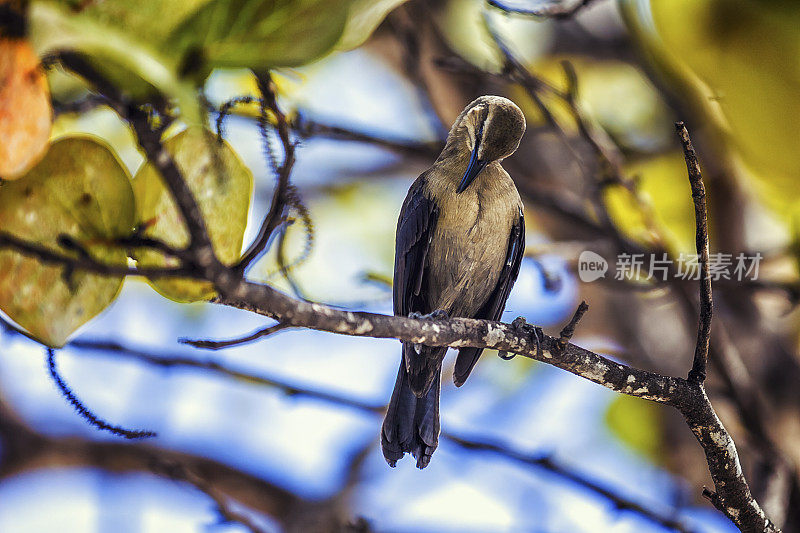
<point x="459" y="245"/>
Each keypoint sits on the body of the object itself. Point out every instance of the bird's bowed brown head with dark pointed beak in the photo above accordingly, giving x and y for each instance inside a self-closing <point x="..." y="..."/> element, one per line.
<point x="490" y="128"/>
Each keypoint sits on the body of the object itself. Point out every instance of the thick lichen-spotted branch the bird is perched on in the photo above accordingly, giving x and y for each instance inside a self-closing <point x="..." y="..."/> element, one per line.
<point x="688" y="397"/>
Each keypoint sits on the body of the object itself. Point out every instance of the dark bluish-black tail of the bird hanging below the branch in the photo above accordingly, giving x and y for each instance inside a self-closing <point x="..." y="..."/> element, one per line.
<point x="411" y="424"/>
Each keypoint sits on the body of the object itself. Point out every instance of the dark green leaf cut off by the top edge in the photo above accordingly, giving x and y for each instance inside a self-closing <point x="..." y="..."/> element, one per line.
<point x="261" y="34"/>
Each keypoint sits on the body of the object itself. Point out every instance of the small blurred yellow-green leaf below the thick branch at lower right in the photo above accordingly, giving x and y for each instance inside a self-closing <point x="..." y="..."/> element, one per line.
<point x="636" y="423"/>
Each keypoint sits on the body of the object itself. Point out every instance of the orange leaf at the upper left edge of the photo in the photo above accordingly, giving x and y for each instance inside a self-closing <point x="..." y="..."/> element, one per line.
<point x="25" y="112"/>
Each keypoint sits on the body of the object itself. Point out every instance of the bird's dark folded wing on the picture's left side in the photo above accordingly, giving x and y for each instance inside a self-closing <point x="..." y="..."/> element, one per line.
<point x="414" y="231"/>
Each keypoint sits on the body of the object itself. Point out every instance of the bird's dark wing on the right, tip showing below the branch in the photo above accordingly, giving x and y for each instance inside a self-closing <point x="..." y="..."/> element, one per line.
<point x="493" y="308"/>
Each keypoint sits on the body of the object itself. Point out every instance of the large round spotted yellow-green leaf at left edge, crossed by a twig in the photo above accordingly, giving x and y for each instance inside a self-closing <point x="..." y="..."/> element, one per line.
<point x="79" y="189"/>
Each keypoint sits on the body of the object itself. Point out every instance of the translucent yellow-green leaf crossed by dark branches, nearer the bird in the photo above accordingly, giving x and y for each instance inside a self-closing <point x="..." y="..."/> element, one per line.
<point x="222" y="186"/>
